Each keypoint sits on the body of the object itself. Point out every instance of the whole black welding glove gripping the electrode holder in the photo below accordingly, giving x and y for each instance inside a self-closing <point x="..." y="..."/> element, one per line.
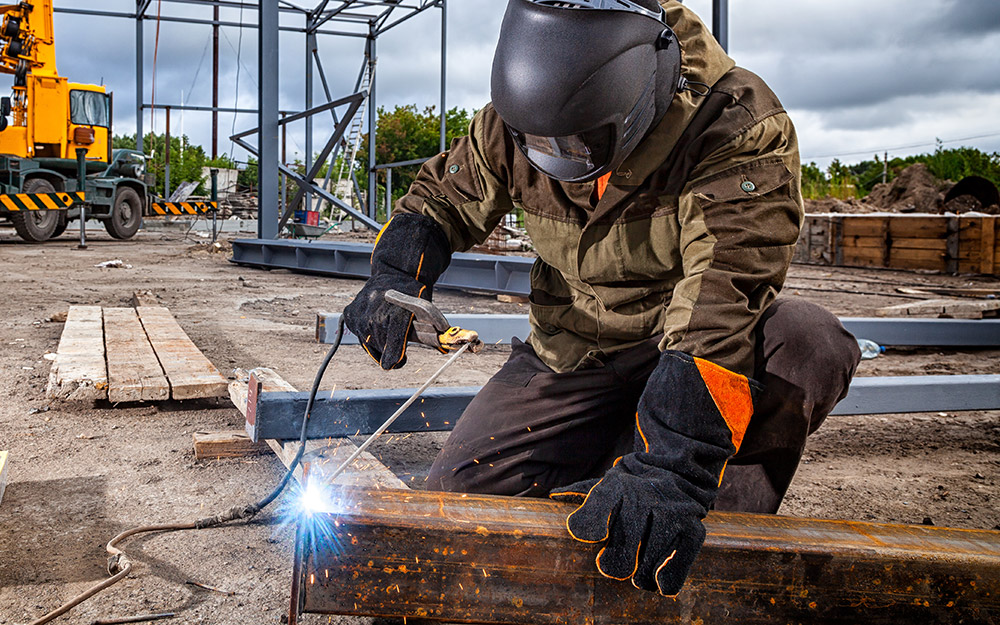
<point x="411" y="252"/>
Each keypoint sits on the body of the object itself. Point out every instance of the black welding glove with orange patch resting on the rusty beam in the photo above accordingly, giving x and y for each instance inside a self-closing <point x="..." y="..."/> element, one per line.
<point x="649" y="506"/>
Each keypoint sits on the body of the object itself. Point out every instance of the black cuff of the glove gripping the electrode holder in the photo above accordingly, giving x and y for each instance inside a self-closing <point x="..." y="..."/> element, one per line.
<point x="414" y="245"/>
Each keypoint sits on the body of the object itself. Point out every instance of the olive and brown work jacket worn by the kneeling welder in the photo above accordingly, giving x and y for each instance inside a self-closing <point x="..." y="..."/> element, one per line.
<point x="691" y="240"/>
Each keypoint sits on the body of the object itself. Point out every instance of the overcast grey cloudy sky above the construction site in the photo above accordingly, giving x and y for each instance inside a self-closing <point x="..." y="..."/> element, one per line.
<point x="858" y="77"/>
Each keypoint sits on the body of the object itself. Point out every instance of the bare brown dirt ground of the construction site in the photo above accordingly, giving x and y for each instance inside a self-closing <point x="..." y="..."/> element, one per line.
<point x="81" y="473"/>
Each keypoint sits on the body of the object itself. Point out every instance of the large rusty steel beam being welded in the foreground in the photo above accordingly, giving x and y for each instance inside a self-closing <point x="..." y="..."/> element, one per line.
<point x="470" y="558"/>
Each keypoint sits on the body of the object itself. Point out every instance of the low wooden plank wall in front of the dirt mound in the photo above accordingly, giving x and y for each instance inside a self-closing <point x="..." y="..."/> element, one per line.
<point x="952" y="244"/>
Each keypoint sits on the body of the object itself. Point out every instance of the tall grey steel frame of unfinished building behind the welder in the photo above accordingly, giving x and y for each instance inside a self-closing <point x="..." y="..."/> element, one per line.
<point x="367" y="19"/>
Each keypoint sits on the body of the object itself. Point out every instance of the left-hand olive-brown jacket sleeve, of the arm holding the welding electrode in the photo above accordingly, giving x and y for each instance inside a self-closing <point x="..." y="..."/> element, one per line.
<point x="460" y="189"/>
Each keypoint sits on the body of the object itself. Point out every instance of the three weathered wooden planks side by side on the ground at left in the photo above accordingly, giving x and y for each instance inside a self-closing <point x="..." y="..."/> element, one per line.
<point x="127" y="355"/>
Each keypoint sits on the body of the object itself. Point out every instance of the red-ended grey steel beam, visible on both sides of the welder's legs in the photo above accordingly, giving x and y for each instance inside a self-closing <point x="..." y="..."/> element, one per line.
<point x="279" y="415"/>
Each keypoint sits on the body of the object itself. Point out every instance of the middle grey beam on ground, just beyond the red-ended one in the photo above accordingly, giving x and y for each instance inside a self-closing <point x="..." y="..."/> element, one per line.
<point x="888" y="332"/>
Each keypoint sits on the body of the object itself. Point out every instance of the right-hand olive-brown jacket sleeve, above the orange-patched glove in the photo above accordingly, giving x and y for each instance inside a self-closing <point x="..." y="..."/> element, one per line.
<point x="740" y="215"/>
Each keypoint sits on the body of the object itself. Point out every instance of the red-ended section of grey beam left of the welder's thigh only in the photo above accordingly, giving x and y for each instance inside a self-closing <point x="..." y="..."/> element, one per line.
<point x="347" y="413"/>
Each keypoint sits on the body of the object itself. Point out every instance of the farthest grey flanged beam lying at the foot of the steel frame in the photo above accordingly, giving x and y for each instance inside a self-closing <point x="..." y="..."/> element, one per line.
<point x="479" y="272"/>
